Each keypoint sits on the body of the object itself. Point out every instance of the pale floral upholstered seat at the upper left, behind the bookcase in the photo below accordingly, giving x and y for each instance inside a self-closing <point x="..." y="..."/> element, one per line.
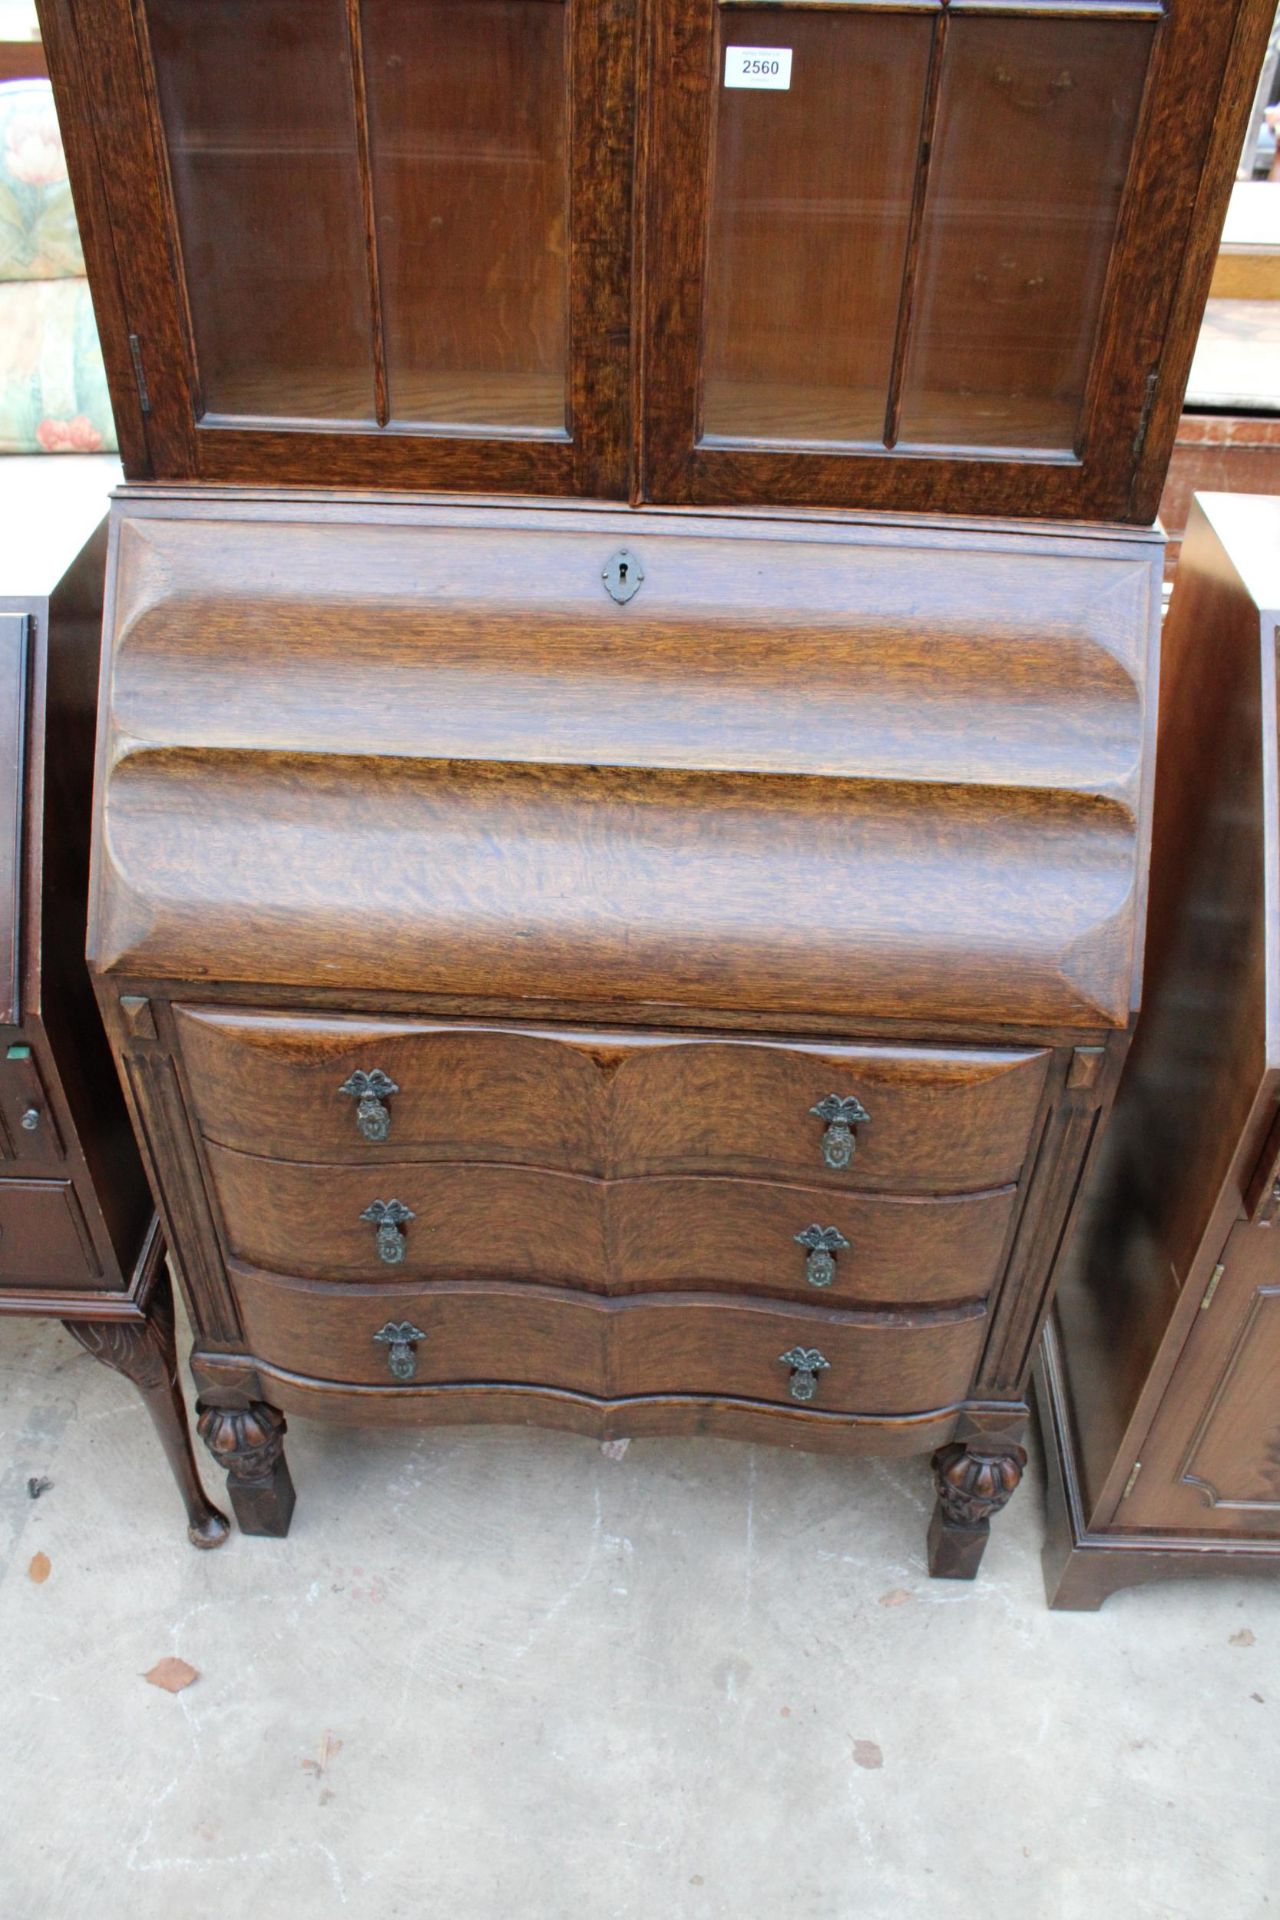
<point x="53" y="385"/>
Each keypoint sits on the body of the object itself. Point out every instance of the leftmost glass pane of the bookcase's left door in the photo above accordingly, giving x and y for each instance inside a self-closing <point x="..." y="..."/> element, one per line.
<point x="260" y="118"/>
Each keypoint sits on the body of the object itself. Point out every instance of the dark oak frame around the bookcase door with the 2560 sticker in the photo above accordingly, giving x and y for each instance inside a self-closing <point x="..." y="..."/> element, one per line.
<point x="1149" y="322"/>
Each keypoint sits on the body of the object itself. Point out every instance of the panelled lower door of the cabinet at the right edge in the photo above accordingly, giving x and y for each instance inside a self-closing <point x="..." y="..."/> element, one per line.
<point x="1212" y="1462"/>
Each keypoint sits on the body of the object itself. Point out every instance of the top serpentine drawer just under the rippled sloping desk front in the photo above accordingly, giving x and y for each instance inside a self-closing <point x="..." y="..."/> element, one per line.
<point x="613" y="1105"/>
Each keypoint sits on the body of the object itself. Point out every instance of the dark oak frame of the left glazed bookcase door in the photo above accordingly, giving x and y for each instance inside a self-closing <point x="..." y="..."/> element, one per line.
<point x="120" y="178"/>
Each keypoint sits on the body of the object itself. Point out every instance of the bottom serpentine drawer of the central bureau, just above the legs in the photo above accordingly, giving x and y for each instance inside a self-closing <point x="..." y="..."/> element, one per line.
<point x="843" y="1362"/>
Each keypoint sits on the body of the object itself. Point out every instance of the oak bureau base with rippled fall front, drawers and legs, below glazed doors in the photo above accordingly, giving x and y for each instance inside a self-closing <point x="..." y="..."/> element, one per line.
<point x="636" y="972"/>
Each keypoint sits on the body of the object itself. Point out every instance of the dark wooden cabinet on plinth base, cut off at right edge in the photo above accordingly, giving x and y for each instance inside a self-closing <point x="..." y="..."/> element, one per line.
<point x="1160" y="1381"/>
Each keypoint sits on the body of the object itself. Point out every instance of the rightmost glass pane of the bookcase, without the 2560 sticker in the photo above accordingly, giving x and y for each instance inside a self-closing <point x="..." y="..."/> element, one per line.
<point x="1035" y="130"/>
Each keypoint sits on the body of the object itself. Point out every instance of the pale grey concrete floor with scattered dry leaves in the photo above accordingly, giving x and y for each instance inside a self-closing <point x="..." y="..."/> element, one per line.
<point x="504" y="1675"/>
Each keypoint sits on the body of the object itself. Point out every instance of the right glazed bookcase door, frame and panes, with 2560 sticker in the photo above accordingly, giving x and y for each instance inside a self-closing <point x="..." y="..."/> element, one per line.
<point x="941" y="266"/>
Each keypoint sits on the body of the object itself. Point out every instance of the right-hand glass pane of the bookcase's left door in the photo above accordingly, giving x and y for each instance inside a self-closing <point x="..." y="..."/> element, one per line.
<point x="469" y="132"/>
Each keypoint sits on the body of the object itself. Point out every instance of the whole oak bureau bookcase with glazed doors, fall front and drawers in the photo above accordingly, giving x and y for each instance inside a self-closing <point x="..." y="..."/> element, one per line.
<point x="609" y="907"/>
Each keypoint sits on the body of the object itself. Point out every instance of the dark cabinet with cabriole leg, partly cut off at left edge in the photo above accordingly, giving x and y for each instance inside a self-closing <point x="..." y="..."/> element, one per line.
<point x="78" y="1228"/>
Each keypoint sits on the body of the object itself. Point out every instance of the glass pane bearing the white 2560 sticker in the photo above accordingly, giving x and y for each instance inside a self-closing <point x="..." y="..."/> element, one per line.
<point x="809" y="228"/>
